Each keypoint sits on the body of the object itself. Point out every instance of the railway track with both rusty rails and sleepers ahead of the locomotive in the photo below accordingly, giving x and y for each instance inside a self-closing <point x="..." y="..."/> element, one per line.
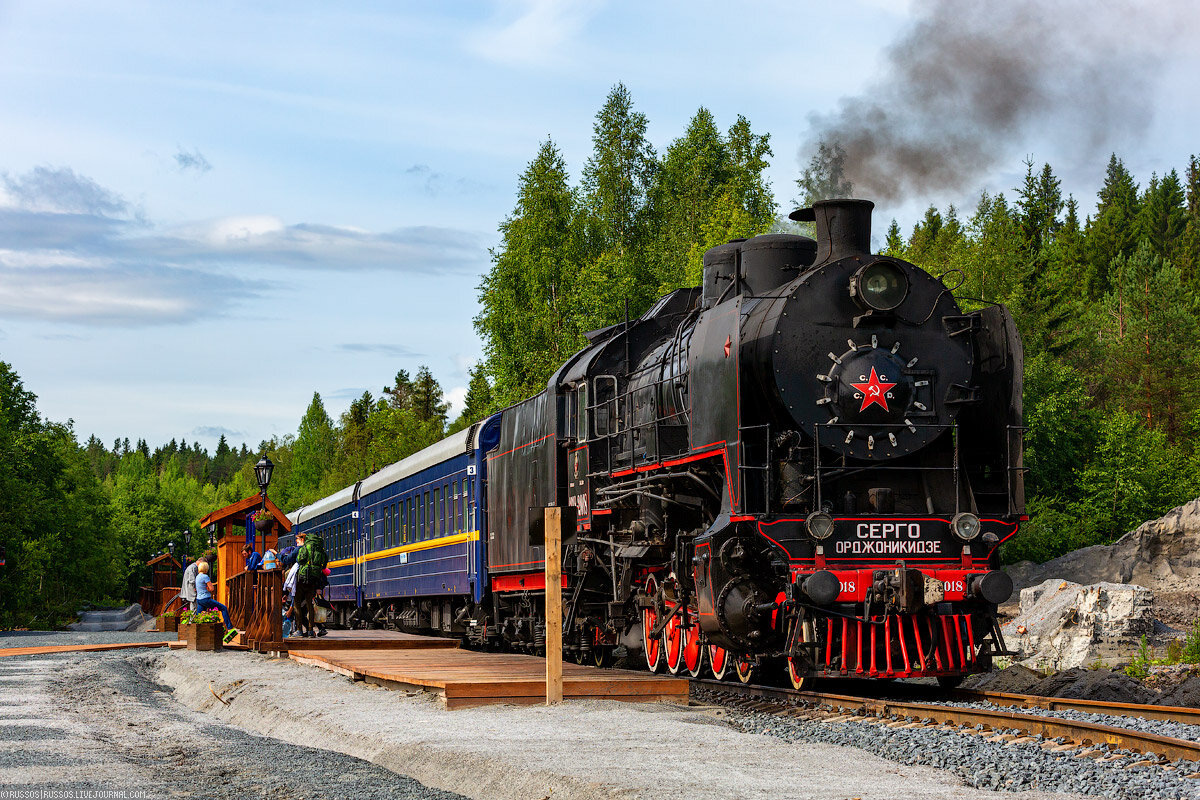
<point x="1087" y="739"/>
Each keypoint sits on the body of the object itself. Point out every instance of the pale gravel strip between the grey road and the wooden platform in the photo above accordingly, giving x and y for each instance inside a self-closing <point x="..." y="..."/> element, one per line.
<point x="584" y="750"/>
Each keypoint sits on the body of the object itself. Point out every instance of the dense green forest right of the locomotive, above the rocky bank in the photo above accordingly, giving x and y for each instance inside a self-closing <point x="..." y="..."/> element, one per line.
<point x="1112" y="332"/>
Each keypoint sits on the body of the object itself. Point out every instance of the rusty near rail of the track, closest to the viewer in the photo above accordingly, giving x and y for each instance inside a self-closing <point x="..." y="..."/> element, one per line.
<point x="1087" y="733"/>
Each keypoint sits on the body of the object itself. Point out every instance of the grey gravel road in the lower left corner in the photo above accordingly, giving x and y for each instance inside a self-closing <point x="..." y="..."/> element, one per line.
<point x="93" y="723"/>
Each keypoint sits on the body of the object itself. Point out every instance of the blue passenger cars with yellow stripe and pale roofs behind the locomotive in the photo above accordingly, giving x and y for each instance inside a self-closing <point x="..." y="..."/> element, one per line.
<point x="406" y="545"/>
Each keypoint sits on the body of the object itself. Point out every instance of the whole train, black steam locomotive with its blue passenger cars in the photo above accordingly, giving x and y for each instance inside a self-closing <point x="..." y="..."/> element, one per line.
<point x="806" y="465"/>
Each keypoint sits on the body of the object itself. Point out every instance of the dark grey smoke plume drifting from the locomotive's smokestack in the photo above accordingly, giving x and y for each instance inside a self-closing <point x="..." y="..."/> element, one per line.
<point x="971" y="85"/>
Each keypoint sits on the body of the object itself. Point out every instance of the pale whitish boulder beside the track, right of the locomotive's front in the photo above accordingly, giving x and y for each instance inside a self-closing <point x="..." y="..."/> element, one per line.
<point x="1064" y="624"/>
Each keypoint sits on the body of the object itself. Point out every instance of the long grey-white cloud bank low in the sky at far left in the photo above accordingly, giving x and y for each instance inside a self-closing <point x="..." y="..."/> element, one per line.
<point x="73" y="254"/>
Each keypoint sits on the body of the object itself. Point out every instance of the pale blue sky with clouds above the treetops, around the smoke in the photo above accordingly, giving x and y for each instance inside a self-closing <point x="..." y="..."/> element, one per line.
<point x="209" y="212"/>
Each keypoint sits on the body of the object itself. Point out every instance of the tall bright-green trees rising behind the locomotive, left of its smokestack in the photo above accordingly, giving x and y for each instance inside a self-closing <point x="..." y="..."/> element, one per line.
<point x="578" y="260"/>
